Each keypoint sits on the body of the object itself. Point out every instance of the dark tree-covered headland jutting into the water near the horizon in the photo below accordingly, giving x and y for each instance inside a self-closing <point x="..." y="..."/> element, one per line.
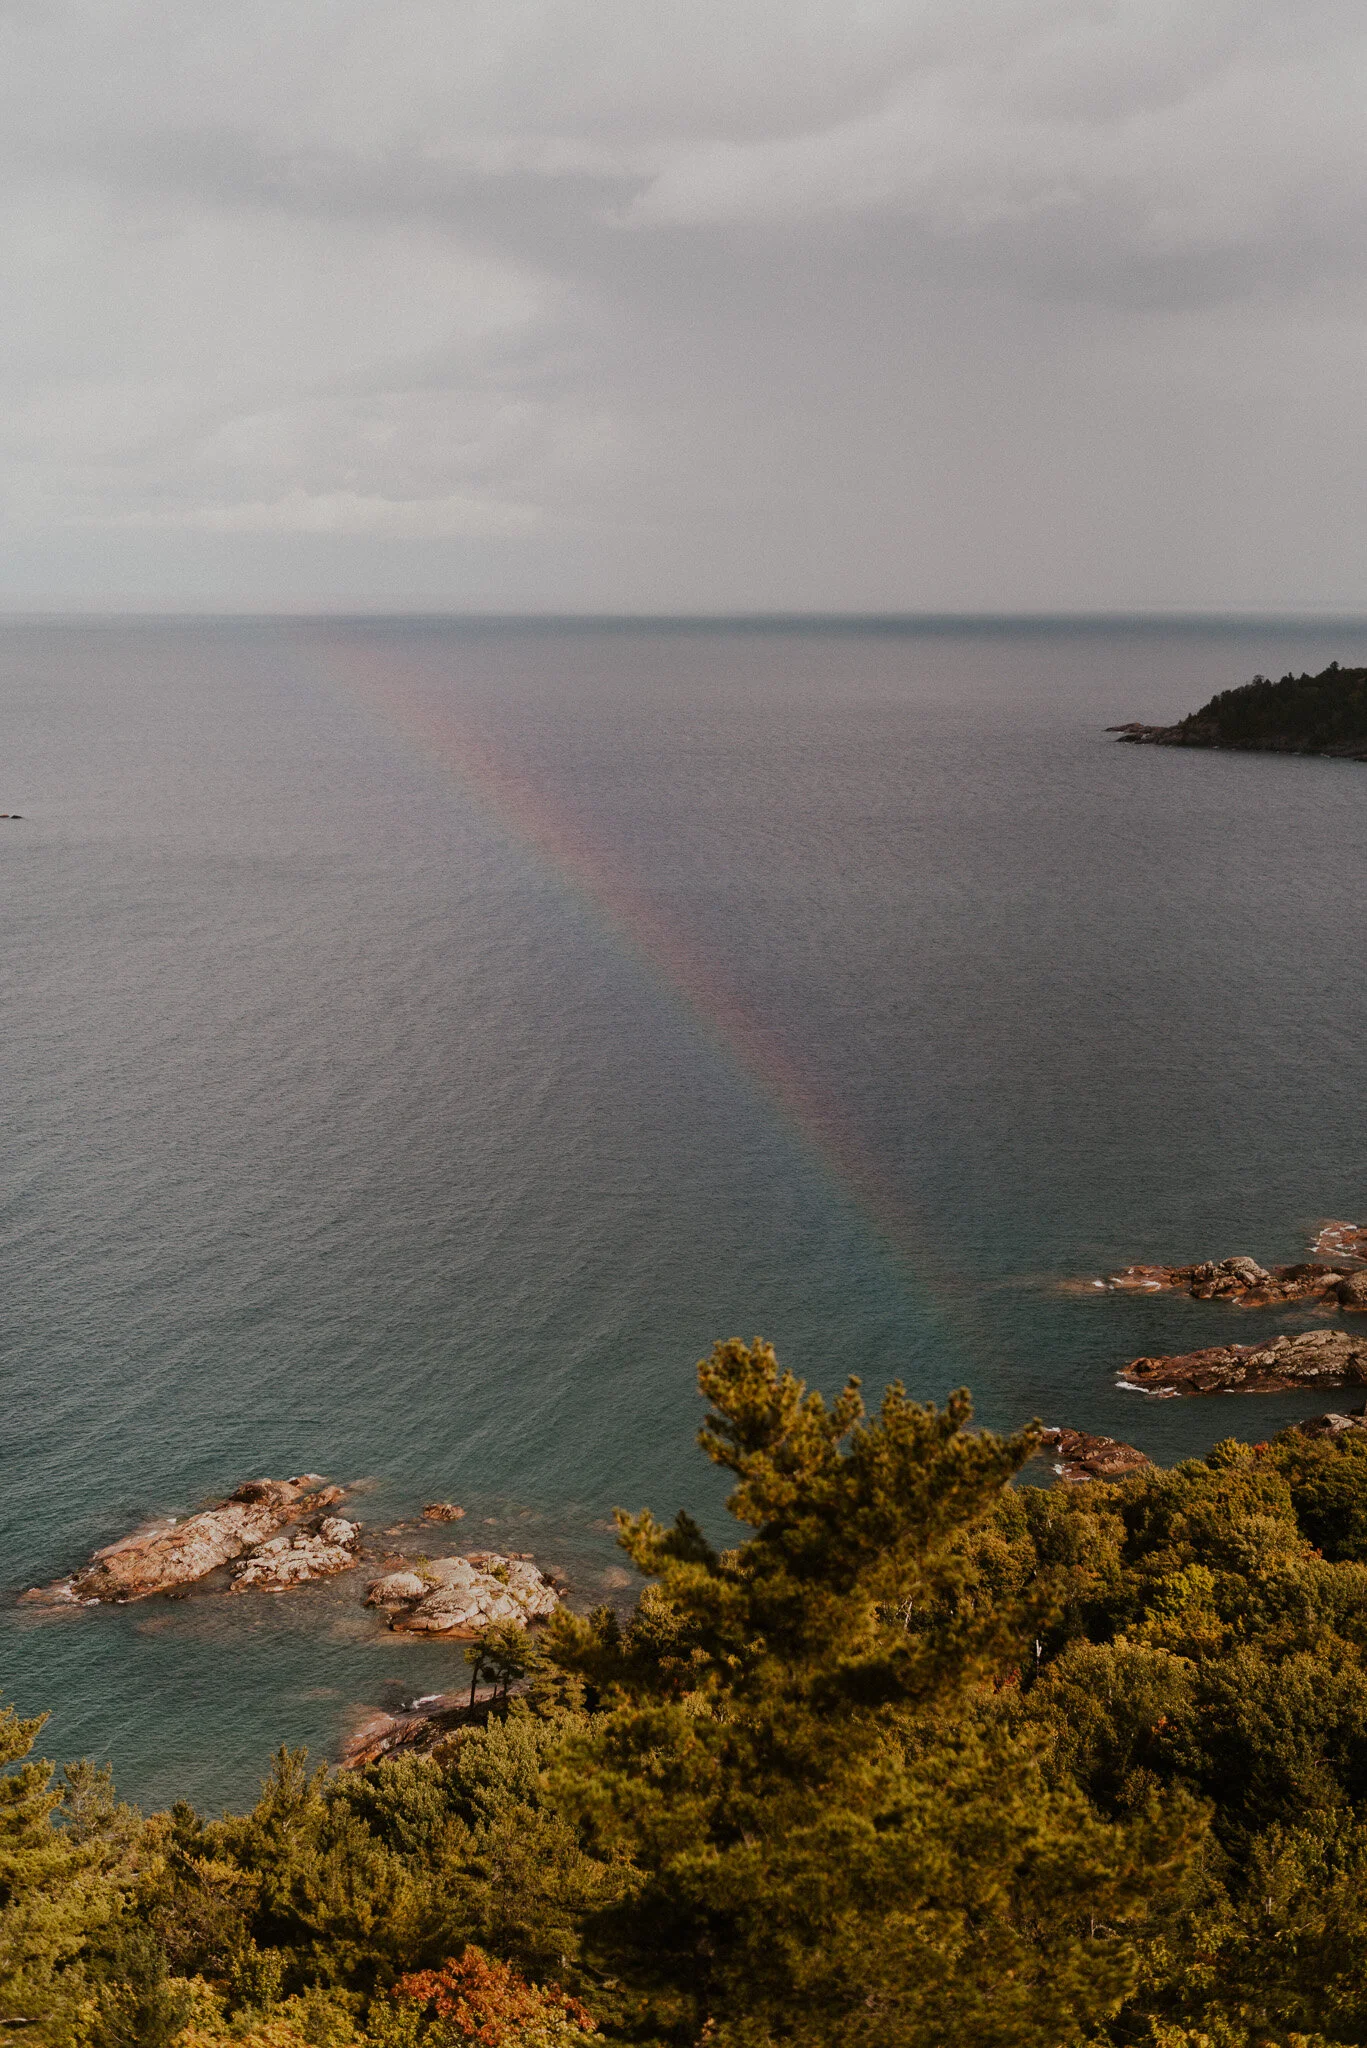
<point x="1323" y="714"/>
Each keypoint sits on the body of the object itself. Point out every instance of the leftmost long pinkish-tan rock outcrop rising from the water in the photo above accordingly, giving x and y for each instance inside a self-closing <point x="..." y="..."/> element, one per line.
<point x="165" y="1555"/>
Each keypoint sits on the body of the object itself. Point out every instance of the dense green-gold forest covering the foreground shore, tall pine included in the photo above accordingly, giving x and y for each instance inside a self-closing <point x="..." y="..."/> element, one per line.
<point x="923" y="1760"/>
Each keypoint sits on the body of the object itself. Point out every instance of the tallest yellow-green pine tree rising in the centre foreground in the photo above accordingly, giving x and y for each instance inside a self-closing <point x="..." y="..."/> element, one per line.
<point x="835" y="1836"/>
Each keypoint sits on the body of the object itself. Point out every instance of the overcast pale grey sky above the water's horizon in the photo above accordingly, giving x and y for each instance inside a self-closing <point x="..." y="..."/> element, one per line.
<point x="683" y="304"/>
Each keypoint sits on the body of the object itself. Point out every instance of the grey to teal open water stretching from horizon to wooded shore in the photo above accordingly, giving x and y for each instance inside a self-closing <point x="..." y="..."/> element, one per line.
<point x="423" y="1039"/>
